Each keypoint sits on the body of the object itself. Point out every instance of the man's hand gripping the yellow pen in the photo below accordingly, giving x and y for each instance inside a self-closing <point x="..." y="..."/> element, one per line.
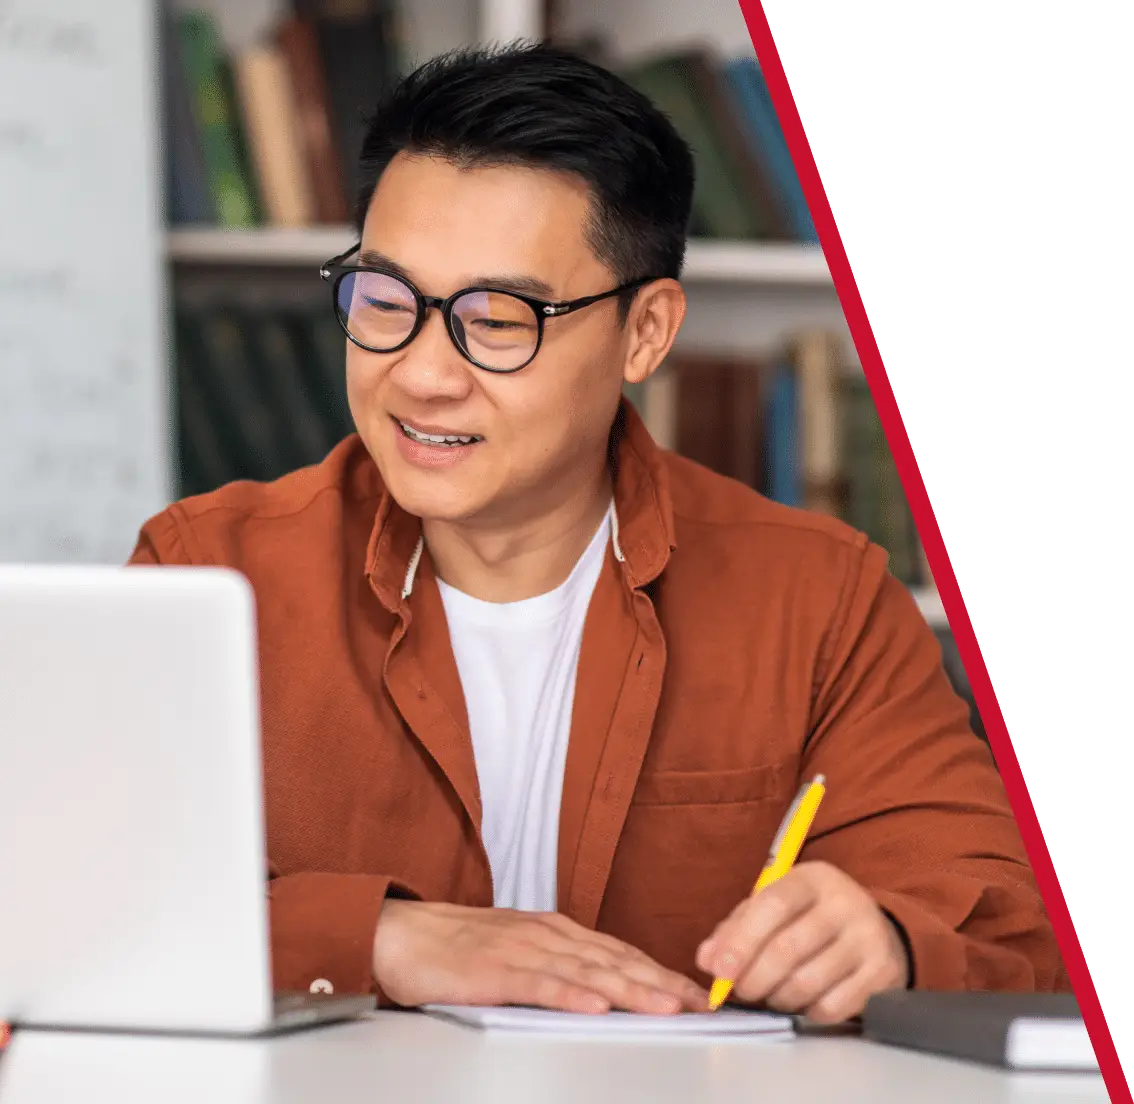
<point x="814" y="944"/>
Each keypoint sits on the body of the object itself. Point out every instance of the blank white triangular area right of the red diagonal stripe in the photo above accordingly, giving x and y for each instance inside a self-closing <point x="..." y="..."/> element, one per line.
<point x="978" y="159"/>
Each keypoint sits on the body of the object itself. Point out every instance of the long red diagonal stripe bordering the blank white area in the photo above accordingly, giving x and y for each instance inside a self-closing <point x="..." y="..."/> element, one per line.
<point x="905" y="460"/>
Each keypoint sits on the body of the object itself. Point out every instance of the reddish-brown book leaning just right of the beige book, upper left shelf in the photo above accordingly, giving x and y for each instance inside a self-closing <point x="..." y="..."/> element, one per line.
<point x="300" y="44"/>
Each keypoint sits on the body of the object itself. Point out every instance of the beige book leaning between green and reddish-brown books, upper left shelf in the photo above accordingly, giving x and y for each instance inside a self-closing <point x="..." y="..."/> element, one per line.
<point x="265" y="88"/>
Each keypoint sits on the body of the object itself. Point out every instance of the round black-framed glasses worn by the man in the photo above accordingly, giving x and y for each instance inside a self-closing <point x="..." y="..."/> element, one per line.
<point x="498" y="332"/>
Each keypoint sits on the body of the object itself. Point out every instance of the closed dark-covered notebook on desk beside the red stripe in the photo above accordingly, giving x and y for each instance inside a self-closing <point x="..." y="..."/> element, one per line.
<point x="1014" y="1031"/>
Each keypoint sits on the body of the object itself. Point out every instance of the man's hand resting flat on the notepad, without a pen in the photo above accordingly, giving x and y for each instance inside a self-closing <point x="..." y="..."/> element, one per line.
<point x="452" y="955"/>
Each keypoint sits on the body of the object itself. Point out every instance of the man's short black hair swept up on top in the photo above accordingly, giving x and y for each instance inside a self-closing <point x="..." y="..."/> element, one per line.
<point x="547" y="107"/>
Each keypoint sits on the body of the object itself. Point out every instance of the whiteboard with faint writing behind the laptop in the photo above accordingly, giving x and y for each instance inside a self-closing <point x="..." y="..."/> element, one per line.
<point x="84" y="380"/>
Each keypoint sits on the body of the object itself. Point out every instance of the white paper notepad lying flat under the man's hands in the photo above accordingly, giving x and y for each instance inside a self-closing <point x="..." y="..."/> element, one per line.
<point x="619" y="1025"/>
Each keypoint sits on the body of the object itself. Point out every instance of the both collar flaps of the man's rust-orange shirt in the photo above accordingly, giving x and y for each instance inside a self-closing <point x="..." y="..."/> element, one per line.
<point x="642" y="528"/>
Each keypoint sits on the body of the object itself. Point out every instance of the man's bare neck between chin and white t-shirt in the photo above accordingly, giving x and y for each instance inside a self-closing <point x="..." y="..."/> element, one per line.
<point x="523" y="559"/>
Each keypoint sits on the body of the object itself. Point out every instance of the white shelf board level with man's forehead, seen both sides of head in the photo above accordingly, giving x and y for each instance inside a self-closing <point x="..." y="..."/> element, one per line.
<point x="707" y="262"/>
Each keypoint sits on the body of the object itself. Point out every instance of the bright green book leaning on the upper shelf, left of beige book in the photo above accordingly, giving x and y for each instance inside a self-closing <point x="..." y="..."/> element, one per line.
<point x="230" y="182"/>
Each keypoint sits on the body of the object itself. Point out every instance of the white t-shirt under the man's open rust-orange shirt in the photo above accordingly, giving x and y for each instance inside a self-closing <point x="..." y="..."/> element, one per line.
<point x="518" y="664"/>
